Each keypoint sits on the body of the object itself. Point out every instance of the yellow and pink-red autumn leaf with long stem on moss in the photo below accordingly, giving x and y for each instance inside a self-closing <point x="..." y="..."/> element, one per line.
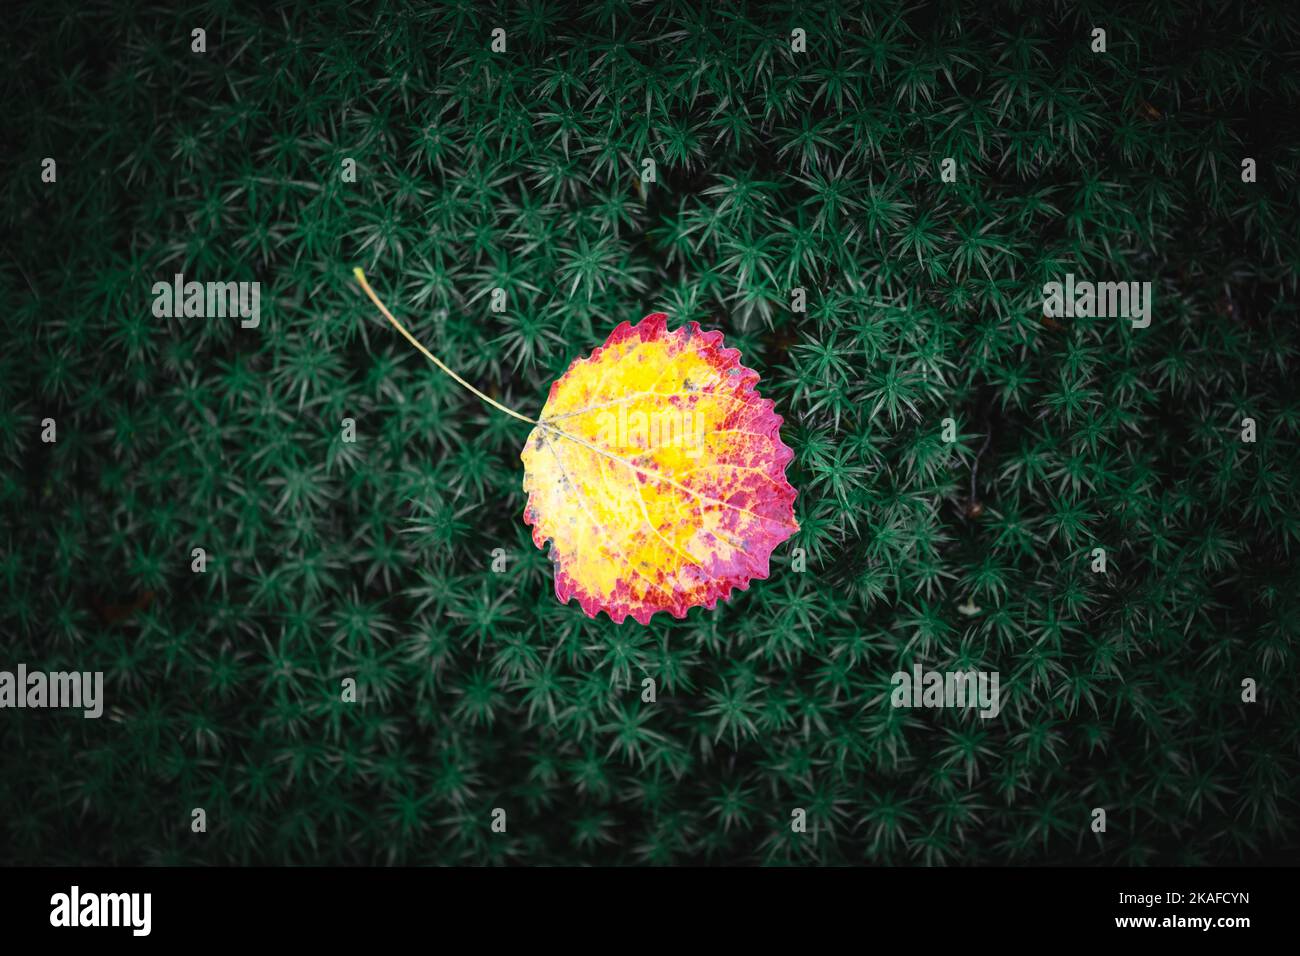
<point x="656" y="473"/>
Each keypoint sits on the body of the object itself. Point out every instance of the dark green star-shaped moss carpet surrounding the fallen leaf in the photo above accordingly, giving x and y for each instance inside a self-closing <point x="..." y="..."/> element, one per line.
<point x="775" y="171"/>
